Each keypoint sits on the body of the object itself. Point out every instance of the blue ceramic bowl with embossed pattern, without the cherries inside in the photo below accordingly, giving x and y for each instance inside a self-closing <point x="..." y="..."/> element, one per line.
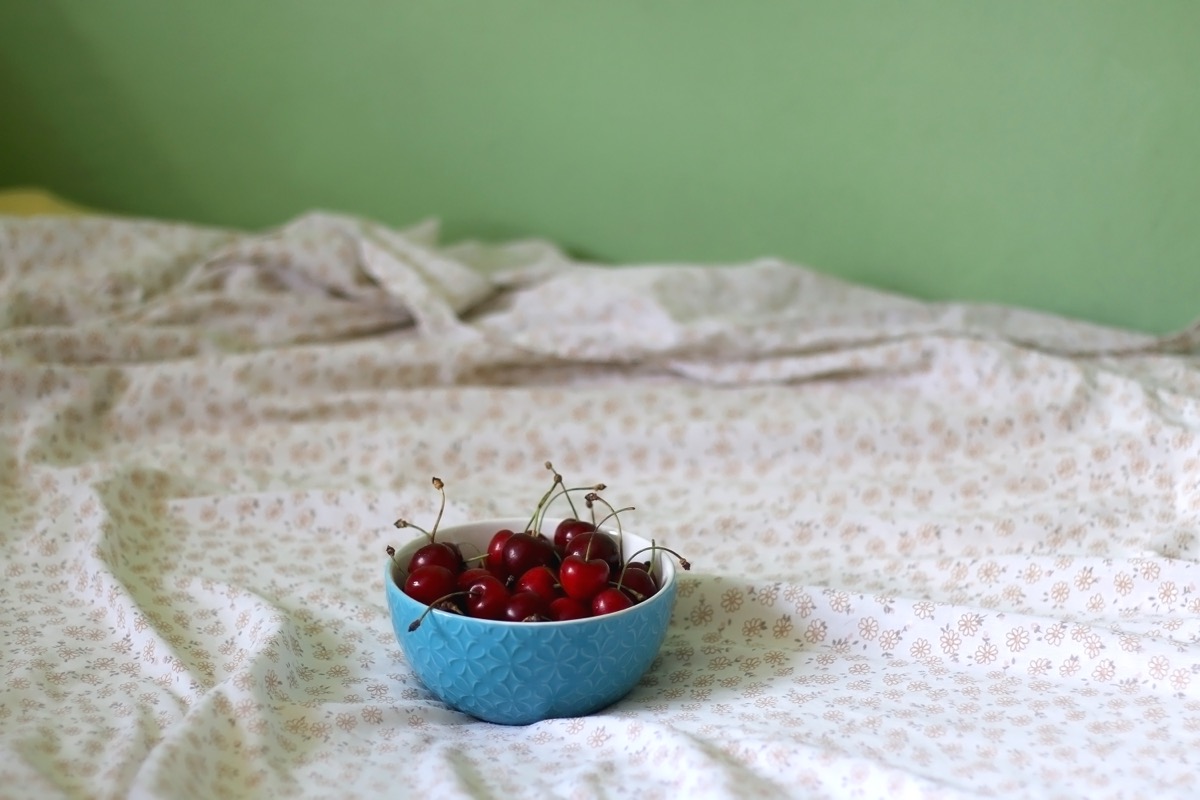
<point x="519" y="673"/>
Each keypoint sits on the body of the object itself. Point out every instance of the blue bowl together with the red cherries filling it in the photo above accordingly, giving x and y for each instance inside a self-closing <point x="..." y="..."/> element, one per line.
<point x="517" y="621"/>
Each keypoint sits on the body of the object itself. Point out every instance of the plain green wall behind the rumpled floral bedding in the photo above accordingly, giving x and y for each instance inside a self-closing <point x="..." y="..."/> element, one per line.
<point x="1025" y="152"/>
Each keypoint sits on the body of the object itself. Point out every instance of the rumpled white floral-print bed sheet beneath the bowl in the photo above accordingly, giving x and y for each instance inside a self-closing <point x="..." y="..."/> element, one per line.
<point x="940" y="550"/>
